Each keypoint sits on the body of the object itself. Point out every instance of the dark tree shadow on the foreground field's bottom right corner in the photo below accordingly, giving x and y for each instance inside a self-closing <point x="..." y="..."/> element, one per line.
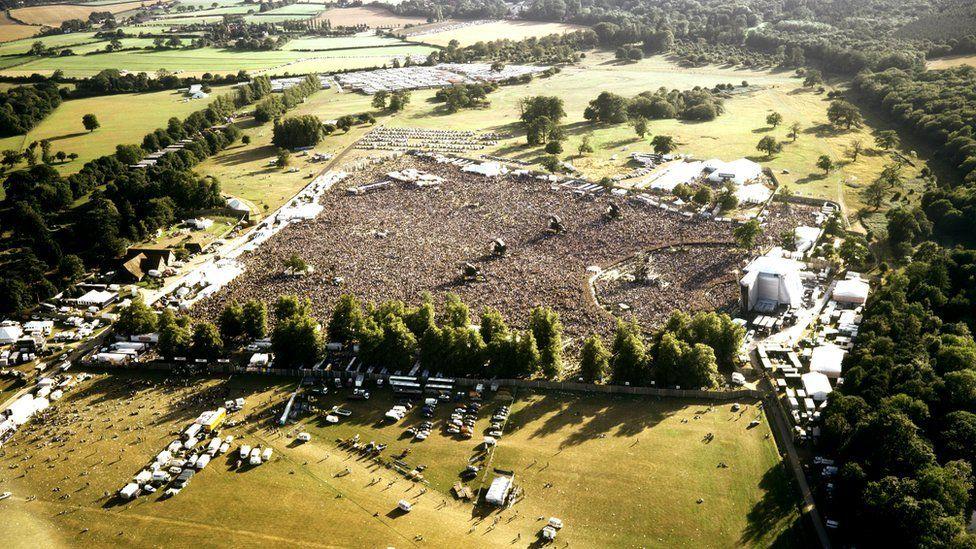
<point x="776" y="511"/>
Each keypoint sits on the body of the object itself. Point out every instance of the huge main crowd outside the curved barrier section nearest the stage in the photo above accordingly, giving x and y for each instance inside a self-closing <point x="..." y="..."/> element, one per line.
<point x="402" y="241"/>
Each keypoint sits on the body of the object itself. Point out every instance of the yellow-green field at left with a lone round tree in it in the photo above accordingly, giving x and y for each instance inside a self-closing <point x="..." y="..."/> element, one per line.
<point x="124" y="119"/>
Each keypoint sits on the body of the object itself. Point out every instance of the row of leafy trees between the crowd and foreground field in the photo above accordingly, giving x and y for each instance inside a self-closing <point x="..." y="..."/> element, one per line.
<point x="689" y="351"/>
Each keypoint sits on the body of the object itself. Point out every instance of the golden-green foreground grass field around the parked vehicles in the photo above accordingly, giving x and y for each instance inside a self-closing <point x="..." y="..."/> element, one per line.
<point x="621" y="472"/>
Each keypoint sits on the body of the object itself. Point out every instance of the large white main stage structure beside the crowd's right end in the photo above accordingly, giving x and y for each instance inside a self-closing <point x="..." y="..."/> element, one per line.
<point x="772" y="279"/>
